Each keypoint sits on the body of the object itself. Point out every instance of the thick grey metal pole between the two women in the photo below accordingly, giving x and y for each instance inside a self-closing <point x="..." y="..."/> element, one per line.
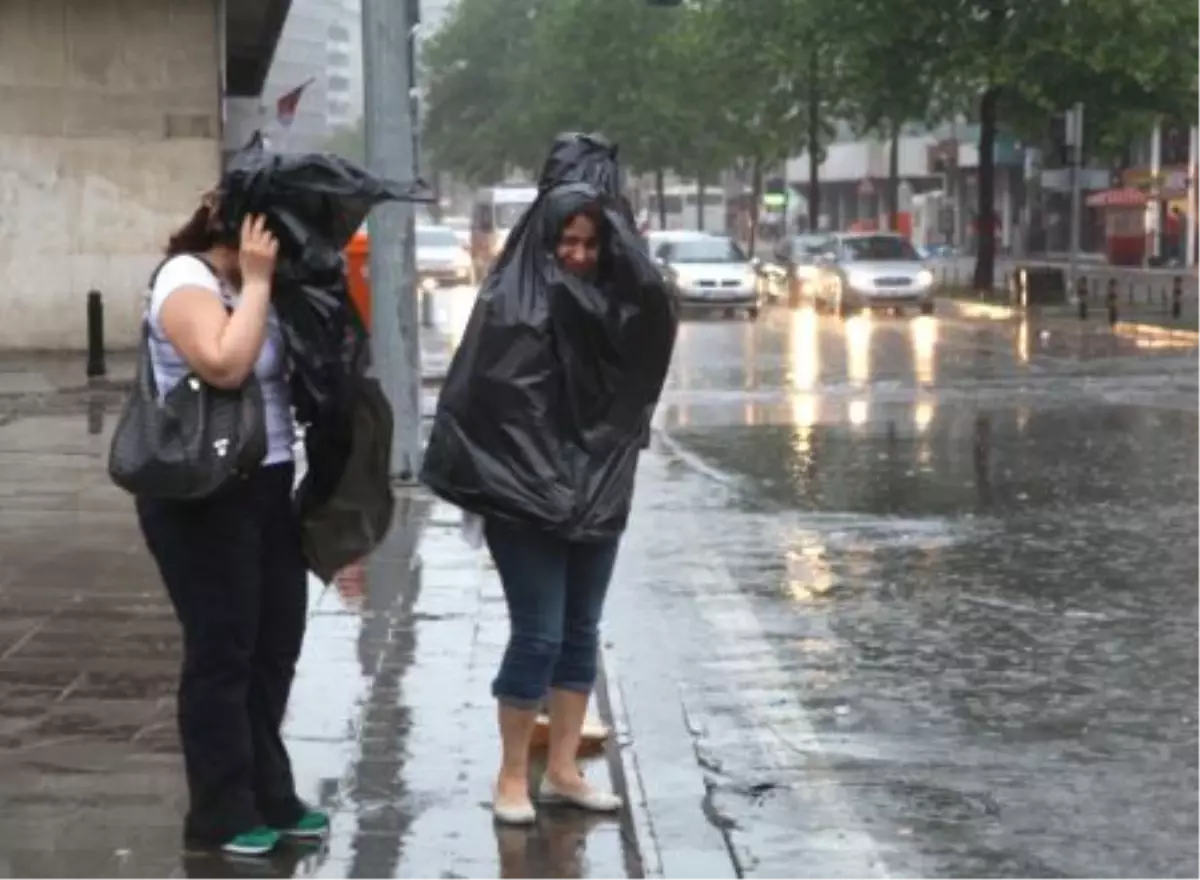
<point x="395" y="336"/>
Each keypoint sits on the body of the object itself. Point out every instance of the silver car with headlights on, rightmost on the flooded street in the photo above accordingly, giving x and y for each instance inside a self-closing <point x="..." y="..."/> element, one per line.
<point x="873" y="271"/>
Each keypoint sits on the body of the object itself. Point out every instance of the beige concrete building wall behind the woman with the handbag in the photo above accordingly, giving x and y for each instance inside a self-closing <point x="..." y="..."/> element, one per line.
<point x="111" y="128"/>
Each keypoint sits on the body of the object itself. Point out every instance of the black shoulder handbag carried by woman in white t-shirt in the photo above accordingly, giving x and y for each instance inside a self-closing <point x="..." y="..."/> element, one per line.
<point x="193" y="442"/>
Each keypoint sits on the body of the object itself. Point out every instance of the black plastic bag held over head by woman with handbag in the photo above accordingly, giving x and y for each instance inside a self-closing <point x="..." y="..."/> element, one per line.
<point x="315" y="203"/>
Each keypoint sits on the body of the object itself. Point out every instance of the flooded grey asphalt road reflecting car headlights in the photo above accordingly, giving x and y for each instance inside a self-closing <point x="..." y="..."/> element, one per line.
<point x="917" y="598"/>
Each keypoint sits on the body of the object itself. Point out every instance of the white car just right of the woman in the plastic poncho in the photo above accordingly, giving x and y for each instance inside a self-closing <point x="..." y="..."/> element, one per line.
<point x="712" y="273"/>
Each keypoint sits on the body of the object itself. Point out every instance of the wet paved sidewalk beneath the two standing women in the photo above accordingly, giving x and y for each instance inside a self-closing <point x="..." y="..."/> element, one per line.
<point x="392" y="726"/>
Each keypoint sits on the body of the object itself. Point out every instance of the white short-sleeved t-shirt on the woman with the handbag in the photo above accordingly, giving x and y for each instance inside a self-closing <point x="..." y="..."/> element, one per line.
<point x="271" y="369"/>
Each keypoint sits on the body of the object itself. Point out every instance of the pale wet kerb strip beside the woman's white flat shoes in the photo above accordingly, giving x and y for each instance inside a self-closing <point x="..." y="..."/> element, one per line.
<point x="639" y="825"/>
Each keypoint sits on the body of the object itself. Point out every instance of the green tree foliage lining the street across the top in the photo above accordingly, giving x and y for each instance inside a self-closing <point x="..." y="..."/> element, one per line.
<point x="716" y="82"/>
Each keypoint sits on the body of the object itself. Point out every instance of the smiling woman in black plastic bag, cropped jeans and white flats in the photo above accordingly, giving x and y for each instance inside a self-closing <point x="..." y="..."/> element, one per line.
<point x="541" y="423"/>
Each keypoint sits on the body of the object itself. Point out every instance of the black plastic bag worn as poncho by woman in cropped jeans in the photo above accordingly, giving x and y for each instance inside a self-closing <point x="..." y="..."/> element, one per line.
<point x="549" y="398"/>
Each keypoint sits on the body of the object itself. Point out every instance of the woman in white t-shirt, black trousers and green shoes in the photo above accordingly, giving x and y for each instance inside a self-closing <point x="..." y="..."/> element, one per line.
<point x="232" y="562"/>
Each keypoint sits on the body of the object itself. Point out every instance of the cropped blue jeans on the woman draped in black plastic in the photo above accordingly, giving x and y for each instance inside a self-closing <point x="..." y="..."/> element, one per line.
<point x="555" y="591"/>
